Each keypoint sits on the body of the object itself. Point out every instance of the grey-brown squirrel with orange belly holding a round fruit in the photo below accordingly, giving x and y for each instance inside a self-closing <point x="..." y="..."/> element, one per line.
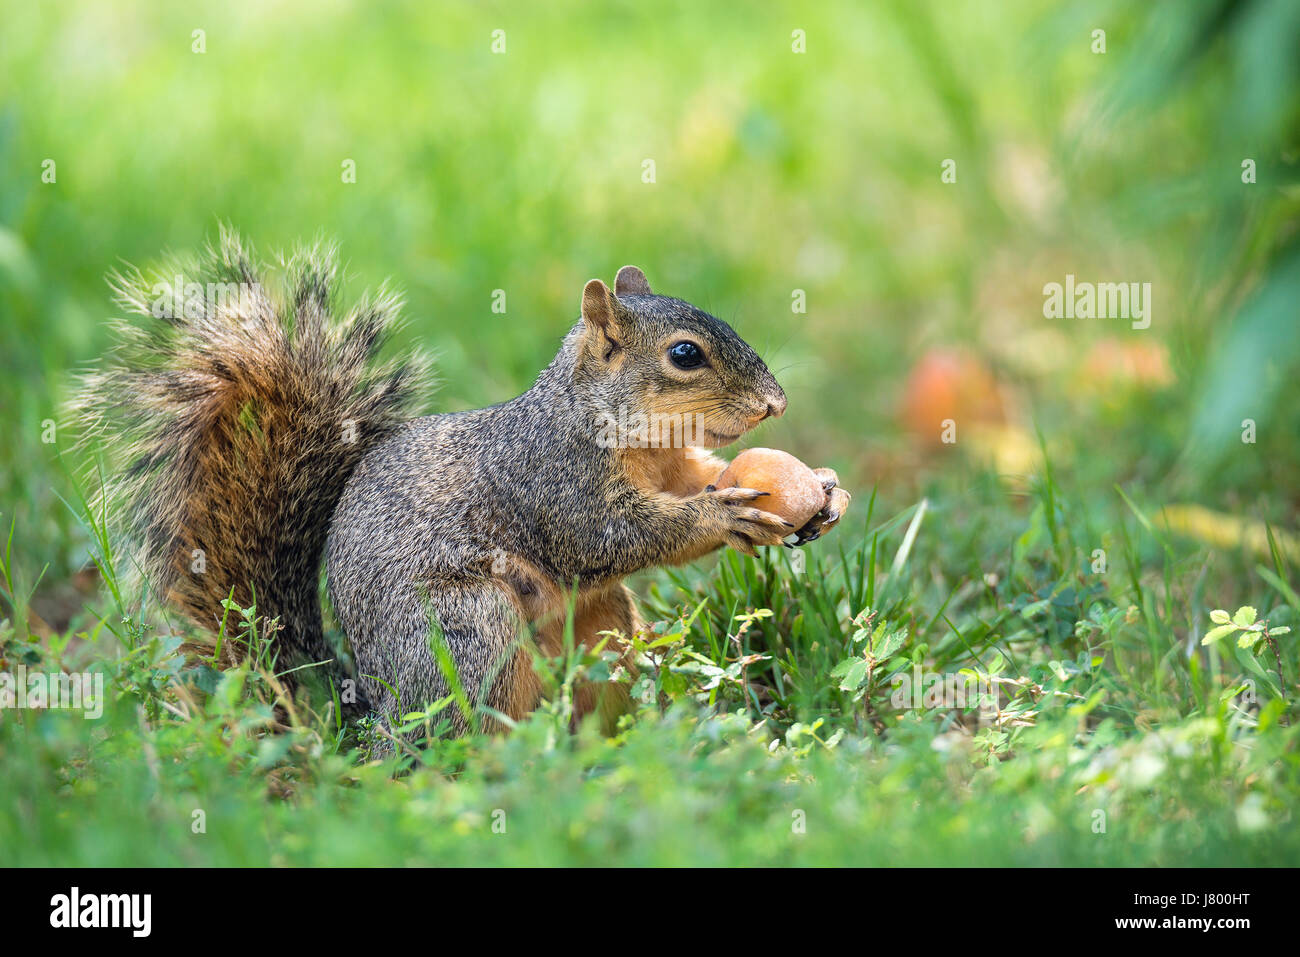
<point x="263" y="435"/>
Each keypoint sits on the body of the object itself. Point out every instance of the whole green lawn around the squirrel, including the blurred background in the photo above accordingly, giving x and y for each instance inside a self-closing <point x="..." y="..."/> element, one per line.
<point x="775" y="172"/>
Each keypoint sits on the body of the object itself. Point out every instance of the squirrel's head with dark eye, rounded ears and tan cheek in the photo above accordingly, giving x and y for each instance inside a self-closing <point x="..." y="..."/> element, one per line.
<point x="688" y="373"/>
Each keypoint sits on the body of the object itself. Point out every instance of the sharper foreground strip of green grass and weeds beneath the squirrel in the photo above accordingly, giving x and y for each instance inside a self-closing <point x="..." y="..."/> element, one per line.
<point x="1120" y="726"/>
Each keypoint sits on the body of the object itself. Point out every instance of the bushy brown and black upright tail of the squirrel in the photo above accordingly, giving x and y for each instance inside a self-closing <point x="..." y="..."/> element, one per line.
<point x="242" y="410"/>
